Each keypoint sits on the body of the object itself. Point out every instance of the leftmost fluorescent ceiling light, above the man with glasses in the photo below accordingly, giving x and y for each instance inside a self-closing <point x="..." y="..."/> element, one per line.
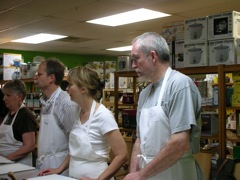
<point x="39" y="38"/>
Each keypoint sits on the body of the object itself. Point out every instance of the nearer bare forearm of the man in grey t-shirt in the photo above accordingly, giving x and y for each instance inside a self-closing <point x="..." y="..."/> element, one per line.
<point x="177" y="145"/>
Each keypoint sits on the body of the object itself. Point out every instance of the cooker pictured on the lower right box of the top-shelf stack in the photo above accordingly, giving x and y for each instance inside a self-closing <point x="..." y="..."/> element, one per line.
<point x="221" y="53"/>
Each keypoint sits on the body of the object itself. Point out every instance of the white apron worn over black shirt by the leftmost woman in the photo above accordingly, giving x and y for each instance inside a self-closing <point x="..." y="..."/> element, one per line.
<point x="8" y="144"/>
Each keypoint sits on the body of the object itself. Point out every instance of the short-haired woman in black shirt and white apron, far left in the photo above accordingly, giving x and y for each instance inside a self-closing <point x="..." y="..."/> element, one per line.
<point x="21" y="118"/>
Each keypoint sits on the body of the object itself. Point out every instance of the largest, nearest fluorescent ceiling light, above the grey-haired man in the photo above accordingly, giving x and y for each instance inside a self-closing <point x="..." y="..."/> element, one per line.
<point x="129" y="17"/>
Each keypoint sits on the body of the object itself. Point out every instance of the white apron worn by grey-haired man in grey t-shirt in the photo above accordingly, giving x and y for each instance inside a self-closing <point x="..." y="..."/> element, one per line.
<point x="154" y="134"/>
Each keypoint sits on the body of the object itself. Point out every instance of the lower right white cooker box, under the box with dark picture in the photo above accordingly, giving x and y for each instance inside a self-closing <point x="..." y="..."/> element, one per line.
<point x="222" y="52"/>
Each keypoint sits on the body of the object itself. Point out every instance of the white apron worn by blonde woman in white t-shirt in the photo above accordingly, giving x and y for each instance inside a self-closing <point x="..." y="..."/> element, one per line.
<point x="84" y="161"/>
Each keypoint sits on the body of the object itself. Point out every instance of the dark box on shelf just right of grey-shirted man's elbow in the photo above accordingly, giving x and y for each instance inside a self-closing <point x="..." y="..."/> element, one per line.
<point x="209" y="124"/>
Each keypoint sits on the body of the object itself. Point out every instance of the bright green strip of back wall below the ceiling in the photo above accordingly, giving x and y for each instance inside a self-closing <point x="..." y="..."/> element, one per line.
<point x="70" y="60"/>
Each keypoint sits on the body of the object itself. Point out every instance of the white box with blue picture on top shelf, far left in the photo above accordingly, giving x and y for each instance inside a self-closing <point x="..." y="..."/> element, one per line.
<point x="9" y="66"/>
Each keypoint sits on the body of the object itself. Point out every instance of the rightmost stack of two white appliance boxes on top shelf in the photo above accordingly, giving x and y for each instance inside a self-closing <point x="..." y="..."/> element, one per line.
<point x="223" y="31"/>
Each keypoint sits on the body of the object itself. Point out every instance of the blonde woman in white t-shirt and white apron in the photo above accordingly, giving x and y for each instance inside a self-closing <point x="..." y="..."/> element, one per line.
<point x="94" y="132"/>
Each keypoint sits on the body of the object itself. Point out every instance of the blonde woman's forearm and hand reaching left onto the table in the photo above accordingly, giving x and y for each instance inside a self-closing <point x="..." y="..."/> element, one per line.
<point x="58" y="170"/>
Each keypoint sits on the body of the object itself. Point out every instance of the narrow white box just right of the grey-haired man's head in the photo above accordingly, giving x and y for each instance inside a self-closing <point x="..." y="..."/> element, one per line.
<point x="178" y="58"/>
